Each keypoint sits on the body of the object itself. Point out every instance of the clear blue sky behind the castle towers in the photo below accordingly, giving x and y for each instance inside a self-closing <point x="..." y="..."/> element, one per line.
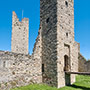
<point x="31" y="9"/>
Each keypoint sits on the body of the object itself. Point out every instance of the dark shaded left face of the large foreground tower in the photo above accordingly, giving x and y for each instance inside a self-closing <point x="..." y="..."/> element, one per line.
<point x="48" y="14"/>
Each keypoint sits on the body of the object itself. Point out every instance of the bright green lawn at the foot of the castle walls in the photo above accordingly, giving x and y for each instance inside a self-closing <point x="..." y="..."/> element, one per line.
<point x="83" y="83"/>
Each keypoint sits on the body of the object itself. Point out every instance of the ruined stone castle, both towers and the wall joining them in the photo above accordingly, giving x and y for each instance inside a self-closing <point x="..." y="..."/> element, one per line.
<point x="55" y="50"/>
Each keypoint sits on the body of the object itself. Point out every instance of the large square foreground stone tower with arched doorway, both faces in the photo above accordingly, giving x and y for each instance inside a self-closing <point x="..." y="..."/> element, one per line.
<point x="59" y="49"/>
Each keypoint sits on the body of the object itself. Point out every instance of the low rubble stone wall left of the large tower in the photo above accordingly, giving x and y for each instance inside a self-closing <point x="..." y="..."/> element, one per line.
<point x="18" y="70"/>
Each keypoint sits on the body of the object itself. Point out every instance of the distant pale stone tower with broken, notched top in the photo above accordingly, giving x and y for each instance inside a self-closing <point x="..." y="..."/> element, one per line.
<point x="20" y="35"/>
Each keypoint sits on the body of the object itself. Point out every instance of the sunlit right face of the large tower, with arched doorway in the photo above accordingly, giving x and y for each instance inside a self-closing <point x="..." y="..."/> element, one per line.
<point x="66" y="43"/>
